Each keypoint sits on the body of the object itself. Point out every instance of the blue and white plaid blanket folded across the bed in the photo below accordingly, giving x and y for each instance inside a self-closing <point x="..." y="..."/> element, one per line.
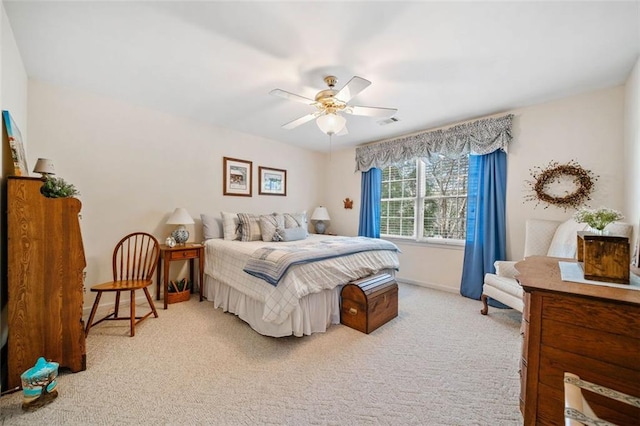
<point x="272" y="262"/>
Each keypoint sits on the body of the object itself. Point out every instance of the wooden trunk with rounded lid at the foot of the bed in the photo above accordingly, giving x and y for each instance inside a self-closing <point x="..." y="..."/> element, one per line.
<point x="369" y="302"/>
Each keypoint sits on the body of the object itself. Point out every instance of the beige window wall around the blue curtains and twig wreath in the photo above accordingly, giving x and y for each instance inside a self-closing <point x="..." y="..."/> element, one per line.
<point x="586" y="128"/>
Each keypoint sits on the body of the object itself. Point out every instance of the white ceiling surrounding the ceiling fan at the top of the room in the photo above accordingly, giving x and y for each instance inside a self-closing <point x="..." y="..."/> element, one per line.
<point x="436" y="62"/>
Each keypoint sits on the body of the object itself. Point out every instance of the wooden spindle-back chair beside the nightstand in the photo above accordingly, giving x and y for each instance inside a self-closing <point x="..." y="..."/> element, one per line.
<point x="134" y="260"/>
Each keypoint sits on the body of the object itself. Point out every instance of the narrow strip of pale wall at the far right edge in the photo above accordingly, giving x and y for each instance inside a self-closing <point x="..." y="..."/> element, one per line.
<point x="632" y="150"/>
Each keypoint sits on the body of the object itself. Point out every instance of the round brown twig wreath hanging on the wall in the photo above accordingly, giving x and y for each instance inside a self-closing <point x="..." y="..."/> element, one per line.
<point x="544" y="177"/>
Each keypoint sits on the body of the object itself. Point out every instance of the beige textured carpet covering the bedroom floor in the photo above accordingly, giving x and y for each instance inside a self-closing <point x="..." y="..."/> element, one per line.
<point x="439" y="363"/>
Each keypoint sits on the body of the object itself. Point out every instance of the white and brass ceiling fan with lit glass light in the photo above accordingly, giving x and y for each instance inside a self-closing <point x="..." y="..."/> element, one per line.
<point x="330" y="103"/>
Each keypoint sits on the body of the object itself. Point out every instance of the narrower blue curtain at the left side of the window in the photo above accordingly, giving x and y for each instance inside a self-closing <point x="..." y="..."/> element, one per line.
<point x="370" y="203"/>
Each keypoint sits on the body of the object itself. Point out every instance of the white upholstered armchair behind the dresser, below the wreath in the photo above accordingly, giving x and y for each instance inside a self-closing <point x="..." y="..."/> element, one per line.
<point x="542" y="238"/>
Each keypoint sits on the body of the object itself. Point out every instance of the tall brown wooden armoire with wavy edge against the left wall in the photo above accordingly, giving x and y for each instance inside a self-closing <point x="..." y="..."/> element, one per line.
<point x="45" y="279"/>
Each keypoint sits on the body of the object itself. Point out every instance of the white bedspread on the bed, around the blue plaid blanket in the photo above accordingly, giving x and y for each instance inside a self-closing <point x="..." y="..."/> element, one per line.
<point x="225" y="260"/>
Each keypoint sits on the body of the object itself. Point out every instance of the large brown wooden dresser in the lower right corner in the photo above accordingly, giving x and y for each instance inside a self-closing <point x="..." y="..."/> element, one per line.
<point x="589" y="330"/>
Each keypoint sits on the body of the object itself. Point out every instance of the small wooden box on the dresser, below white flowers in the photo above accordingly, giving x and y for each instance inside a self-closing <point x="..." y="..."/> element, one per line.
<point x="604" y="257"/>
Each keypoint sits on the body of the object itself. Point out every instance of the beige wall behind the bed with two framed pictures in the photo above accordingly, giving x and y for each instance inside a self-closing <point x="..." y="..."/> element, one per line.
<point x="134" y="166"/>
